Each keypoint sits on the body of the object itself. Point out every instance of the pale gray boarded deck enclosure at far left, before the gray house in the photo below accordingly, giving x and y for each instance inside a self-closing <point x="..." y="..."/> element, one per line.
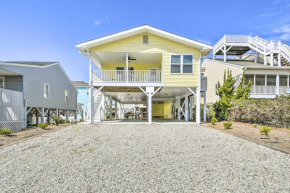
<point x="11" y="109"/>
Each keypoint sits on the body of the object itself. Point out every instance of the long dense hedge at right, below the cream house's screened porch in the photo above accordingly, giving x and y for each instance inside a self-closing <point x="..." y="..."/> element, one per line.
<point x="271" y="112"/>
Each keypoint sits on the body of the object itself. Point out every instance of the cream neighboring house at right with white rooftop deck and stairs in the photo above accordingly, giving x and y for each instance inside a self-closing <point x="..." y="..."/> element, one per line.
<point x="267" y="65"/>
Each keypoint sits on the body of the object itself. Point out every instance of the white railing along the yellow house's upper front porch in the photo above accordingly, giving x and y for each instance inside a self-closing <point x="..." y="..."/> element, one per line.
<point x="131" y="76"/>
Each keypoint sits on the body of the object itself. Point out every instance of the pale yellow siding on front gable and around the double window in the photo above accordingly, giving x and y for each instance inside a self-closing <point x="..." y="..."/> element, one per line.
<point x="158" y="45"/>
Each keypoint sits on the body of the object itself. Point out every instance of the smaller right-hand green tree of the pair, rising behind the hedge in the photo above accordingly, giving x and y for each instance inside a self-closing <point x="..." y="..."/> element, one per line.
<point x="243" y="91"/>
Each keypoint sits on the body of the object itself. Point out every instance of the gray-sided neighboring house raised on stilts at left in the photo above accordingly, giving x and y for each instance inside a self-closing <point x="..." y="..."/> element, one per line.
<point x="46" y="90"/>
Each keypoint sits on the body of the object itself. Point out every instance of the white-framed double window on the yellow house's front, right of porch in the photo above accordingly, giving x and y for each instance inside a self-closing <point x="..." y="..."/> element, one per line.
<point x="182" y="64"/>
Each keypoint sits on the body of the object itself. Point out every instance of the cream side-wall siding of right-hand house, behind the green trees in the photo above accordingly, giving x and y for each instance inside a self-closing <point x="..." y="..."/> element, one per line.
<point x="215" y="72"/>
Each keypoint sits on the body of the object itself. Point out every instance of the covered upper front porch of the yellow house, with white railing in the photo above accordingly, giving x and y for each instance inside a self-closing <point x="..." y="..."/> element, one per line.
<point x="127" y="69"/>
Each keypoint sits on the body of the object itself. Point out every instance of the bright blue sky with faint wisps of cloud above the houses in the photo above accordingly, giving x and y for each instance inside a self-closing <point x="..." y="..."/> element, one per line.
<point x="48" y="30"/>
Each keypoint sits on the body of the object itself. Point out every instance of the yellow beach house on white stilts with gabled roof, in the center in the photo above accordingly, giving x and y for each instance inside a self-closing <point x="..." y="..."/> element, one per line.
<point x="145" y="66"/>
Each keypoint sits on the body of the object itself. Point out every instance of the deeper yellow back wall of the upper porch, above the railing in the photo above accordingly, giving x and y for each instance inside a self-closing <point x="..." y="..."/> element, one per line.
<point x="112" y="66"/>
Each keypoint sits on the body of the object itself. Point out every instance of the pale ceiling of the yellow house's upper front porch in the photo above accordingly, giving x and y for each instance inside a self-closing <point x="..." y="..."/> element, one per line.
<point x="120" y="57"/>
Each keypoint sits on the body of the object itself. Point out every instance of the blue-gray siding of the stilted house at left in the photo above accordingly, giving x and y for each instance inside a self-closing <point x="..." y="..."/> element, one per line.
<point x="33" y="85"/>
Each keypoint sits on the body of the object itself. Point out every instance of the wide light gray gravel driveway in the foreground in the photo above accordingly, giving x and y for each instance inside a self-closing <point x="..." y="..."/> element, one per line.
<point x="142" y="158"/>
